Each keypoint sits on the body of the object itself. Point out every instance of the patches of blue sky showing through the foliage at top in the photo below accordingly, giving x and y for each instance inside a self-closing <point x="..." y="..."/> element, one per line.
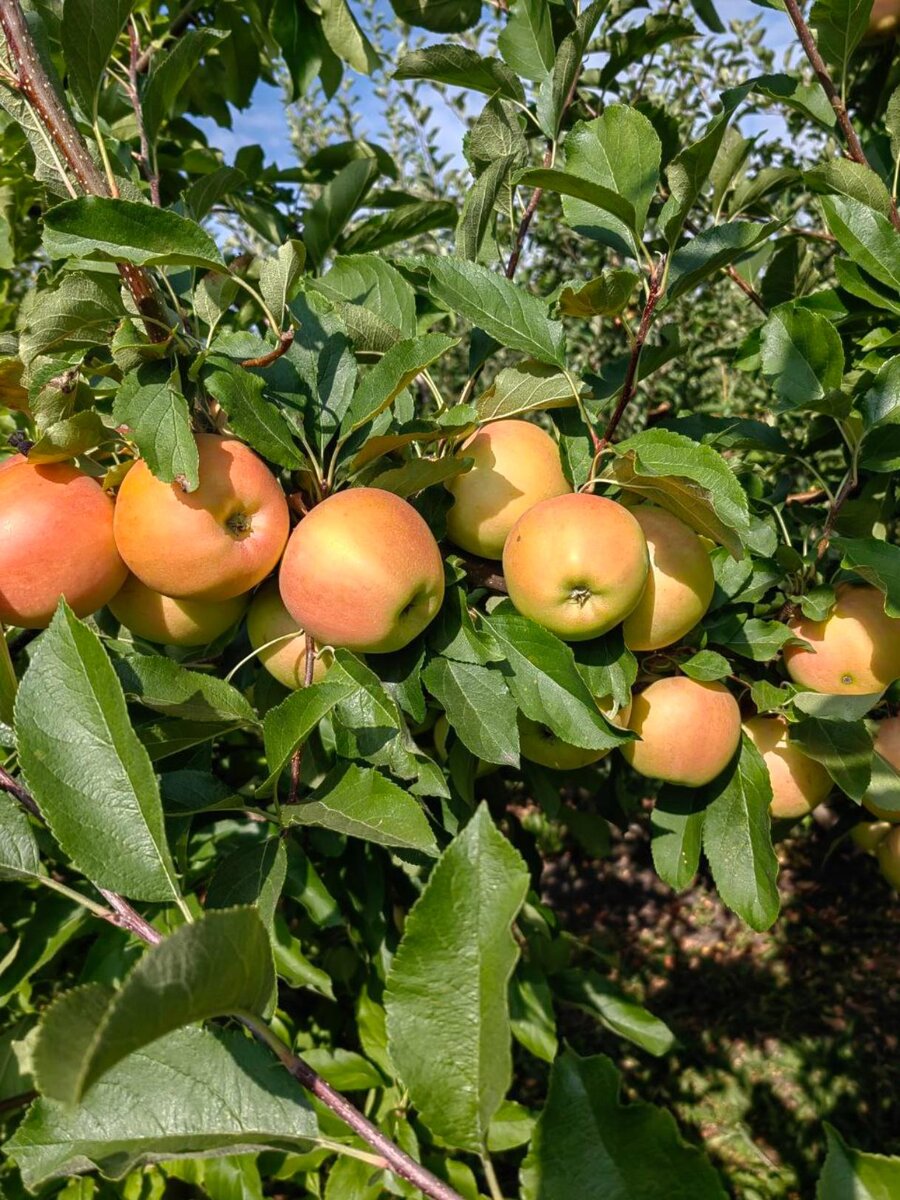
<point x="265" y="122"/>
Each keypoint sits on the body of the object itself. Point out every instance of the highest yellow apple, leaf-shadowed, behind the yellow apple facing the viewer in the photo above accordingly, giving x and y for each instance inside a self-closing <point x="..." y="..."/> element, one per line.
<point x="517" y="466"/>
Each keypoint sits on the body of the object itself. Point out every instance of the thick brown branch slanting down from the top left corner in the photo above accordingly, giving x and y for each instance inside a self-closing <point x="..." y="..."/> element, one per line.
<point x="39" y="91"/>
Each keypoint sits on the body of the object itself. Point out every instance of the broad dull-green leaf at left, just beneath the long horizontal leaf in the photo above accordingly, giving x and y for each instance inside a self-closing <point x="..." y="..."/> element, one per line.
<point x="81" y="311"/>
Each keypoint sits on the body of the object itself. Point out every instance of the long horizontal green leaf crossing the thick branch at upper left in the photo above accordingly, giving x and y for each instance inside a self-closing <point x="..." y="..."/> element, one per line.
<point x="98" y="227"/>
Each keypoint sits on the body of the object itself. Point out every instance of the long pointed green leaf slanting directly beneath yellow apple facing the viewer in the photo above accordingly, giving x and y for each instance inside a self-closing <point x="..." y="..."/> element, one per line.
<point x="548" y="687"/>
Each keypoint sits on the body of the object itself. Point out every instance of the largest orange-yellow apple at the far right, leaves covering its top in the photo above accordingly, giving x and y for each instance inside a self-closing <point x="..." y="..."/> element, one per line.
<point x="856" y="650"/>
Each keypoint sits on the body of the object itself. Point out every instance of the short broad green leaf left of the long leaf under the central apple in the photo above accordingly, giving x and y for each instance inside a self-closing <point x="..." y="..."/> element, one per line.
<point x="479" y="706"/>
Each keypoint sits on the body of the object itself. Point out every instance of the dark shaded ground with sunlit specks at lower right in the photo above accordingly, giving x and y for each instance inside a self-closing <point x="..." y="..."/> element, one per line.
<point x="779" y="1031"/>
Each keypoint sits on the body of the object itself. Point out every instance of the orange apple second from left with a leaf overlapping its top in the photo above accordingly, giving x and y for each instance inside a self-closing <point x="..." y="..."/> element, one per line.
<point x="213" y="544"/>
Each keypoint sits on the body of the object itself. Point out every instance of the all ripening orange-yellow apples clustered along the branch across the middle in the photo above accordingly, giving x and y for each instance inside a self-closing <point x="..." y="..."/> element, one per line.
<point x="364" y="572"/>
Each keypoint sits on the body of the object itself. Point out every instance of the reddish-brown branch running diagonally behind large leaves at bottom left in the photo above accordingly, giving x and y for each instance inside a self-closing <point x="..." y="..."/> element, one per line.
<point x="125" y="917"/>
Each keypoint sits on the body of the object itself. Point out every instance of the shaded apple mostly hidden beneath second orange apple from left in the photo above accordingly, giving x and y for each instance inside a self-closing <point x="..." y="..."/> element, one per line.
<point x="171" y="622"/>
